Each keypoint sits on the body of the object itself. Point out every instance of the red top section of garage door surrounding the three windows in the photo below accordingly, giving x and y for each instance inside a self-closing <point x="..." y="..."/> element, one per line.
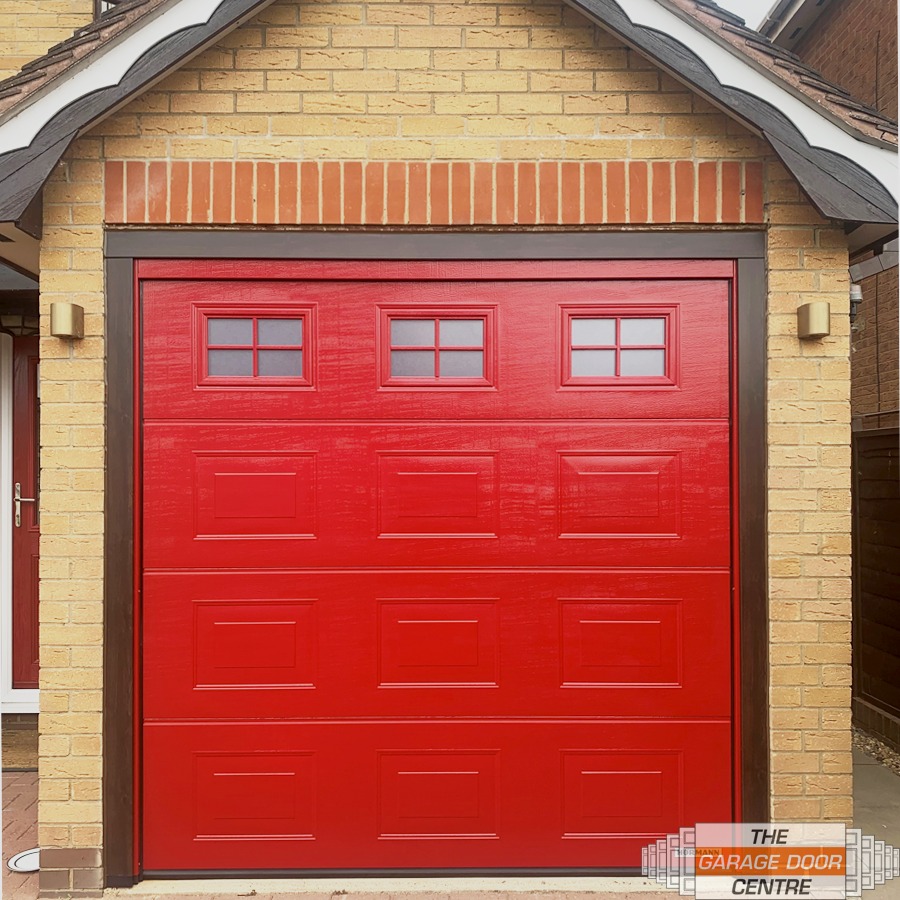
<point x="348" y="346"/>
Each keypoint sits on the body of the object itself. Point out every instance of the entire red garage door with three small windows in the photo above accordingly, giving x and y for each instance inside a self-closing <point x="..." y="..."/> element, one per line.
<point x="436" y="563"/>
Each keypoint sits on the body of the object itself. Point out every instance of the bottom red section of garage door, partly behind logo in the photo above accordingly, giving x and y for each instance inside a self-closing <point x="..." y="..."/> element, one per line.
<point x="427" y="795"/>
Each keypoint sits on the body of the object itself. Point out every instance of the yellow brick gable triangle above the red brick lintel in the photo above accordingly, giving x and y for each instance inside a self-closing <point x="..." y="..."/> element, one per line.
<point x="482" y="80"/>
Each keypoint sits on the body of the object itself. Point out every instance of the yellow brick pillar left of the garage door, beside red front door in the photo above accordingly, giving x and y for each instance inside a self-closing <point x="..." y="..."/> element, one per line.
<point x="72" y="463"/>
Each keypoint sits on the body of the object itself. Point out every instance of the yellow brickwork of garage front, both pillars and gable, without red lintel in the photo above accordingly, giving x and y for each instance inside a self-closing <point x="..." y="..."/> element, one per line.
<point x="482" y="80"/>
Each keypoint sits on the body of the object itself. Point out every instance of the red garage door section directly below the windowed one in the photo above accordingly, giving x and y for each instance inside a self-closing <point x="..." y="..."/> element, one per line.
<point x="611" y="494"/>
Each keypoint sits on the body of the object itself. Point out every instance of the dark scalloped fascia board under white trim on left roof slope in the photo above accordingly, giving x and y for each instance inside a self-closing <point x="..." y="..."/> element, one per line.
<point x="23" y="172"/>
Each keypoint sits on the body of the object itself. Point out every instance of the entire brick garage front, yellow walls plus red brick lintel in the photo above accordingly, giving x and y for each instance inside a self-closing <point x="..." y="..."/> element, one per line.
<point x="381" y="100"/>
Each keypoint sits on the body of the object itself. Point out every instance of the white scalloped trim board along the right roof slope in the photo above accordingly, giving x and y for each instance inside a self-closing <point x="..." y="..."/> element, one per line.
<point x="733" y="71"/>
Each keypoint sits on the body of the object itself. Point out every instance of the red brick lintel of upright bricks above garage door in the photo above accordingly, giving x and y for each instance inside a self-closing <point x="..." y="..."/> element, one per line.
<point x="433" y="193"/>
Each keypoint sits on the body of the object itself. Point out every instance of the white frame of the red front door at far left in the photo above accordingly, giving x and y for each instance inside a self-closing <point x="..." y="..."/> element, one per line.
<point x="11" y="699"/>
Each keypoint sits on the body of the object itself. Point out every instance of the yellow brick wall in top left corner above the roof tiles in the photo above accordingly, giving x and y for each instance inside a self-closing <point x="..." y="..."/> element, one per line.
<point x="28" y="28"/>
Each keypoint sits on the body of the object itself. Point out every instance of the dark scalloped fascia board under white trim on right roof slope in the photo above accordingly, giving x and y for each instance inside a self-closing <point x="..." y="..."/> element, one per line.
<point x="838" y="187"/>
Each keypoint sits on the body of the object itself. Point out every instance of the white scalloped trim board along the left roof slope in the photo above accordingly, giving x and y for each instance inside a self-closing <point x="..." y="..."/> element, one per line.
<point x="103" y="69"/>
